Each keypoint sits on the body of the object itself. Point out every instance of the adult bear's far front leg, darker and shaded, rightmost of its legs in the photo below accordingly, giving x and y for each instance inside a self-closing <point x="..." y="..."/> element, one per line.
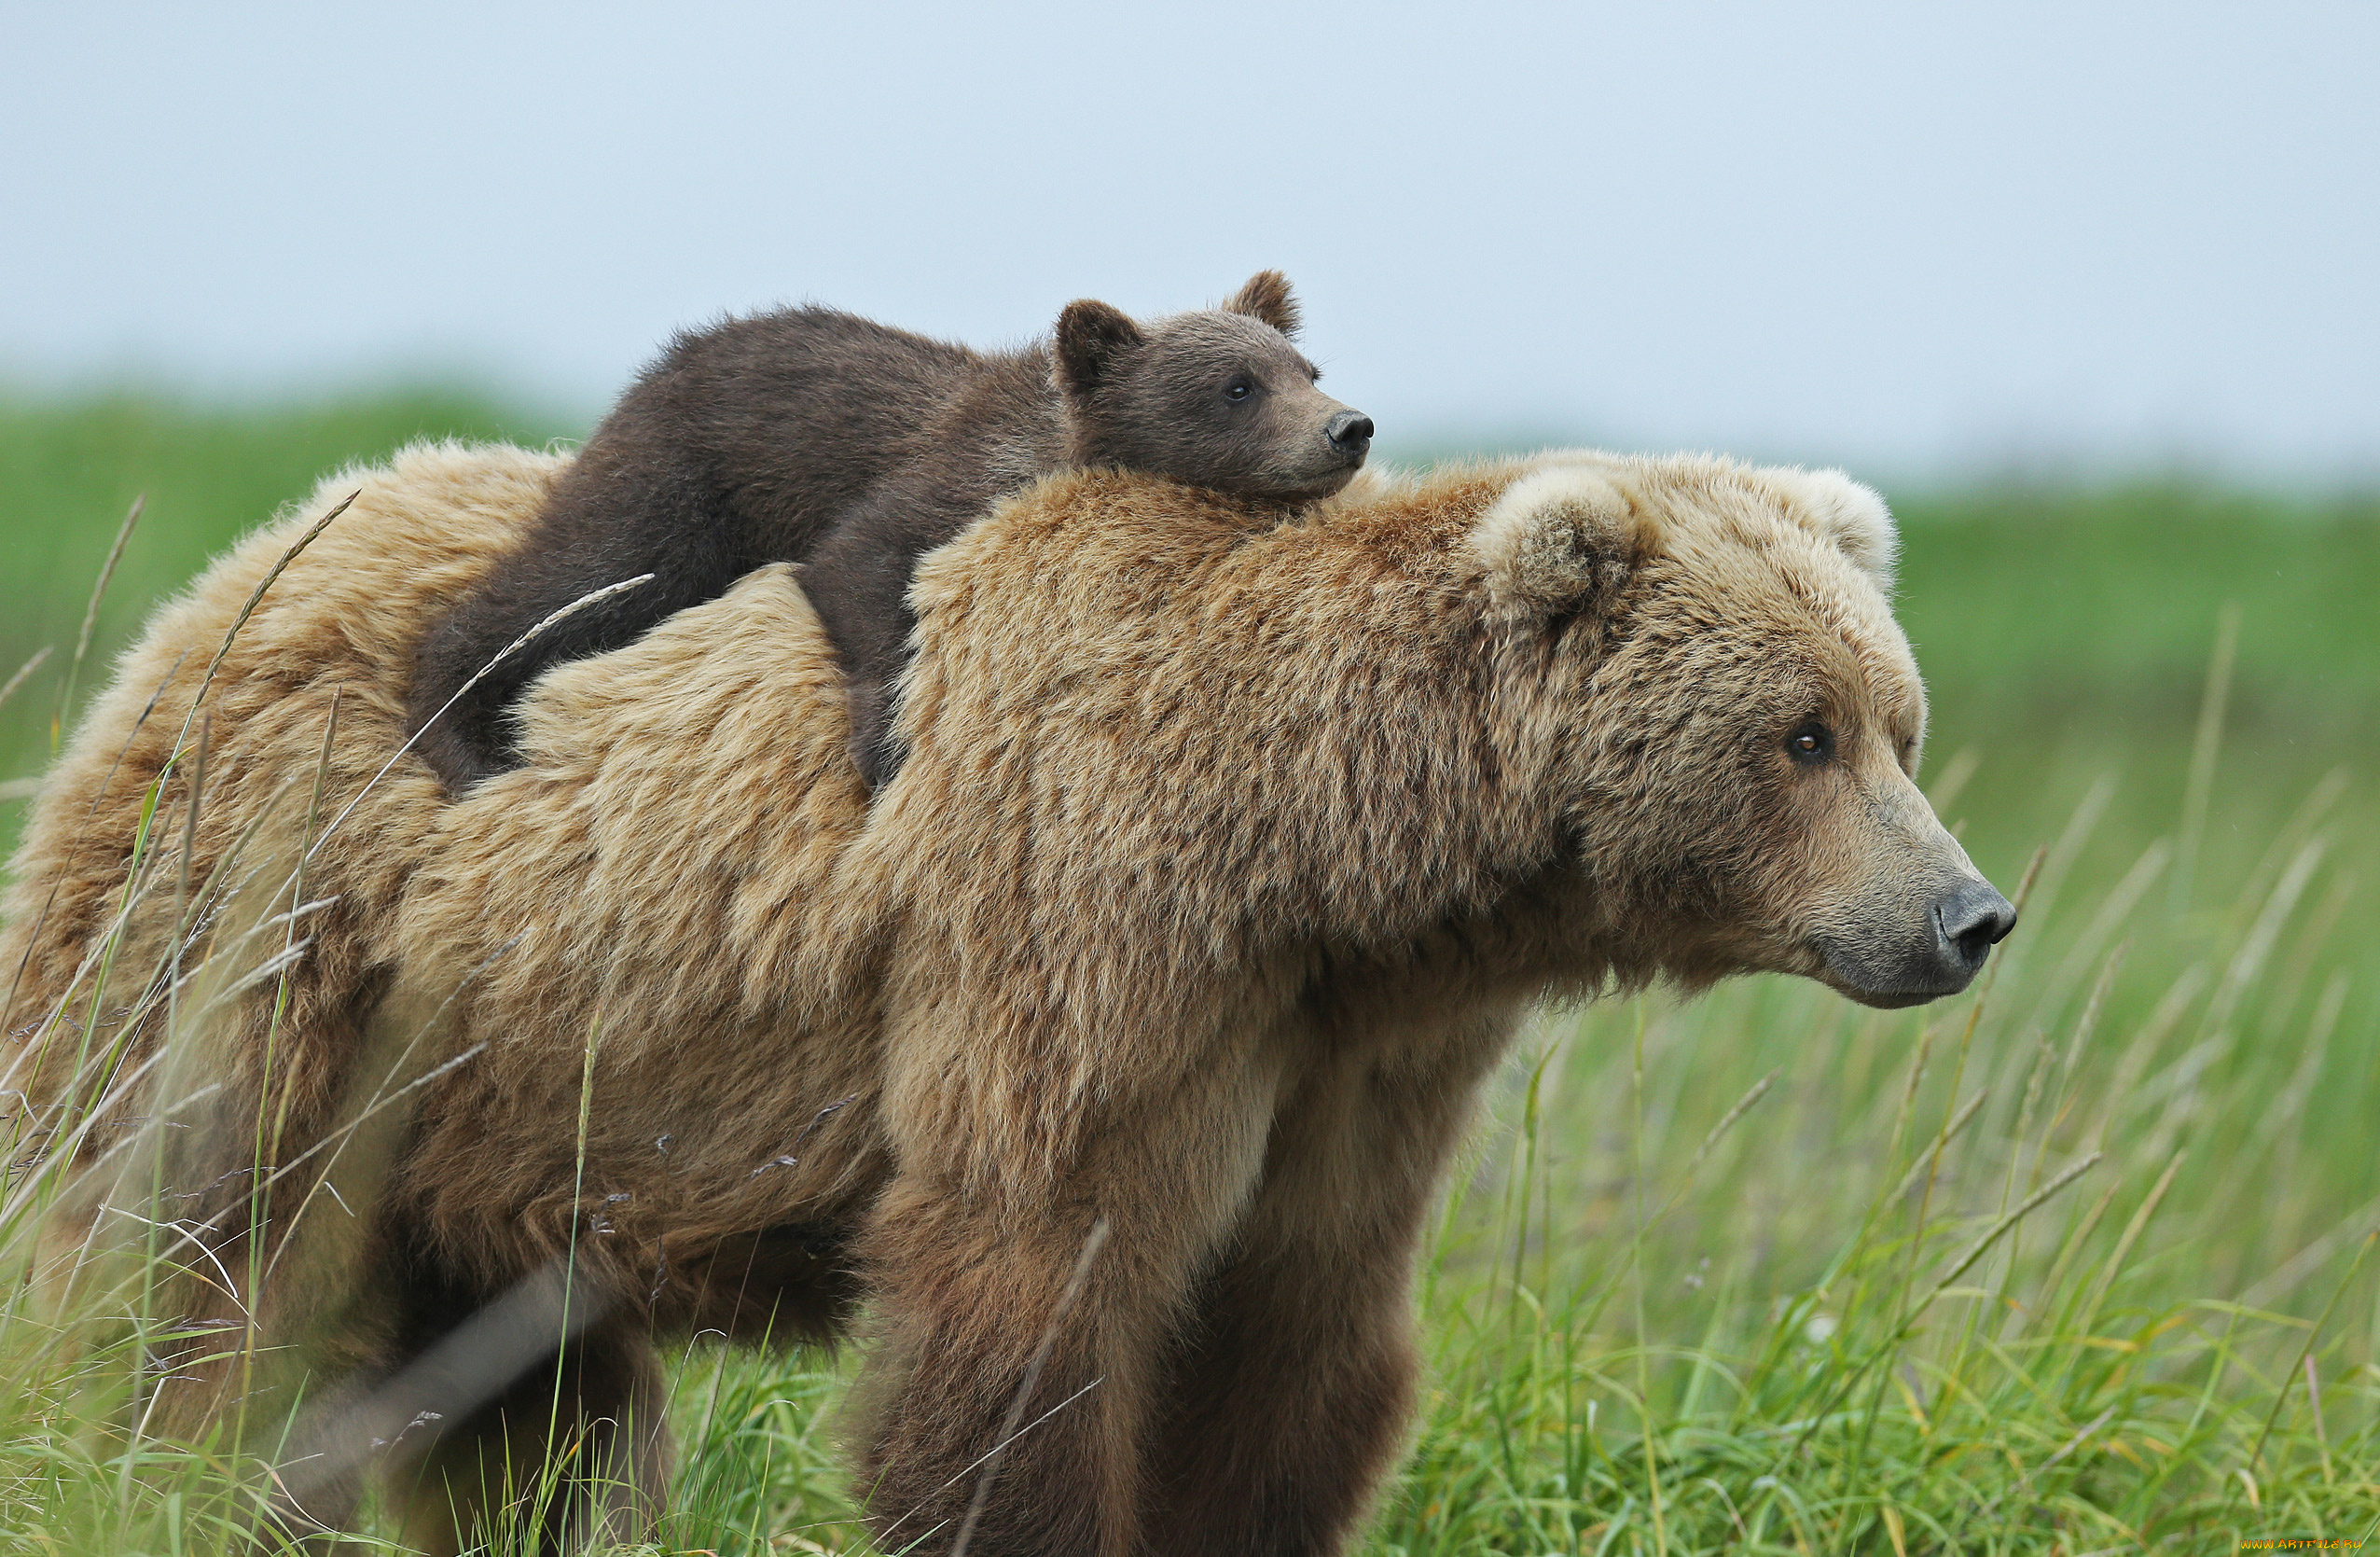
<point x="1294" y="1387"/>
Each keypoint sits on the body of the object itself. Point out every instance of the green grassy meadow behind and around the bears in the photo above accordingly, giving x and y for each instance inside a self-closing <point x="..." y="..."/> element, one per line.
<point x="2069" y="1265"/>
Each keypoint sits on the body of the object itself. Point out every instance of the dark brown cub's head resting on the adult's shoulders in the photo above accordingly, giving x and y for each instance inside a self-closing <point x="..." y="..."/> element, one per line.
<point x="1217" y="399"/>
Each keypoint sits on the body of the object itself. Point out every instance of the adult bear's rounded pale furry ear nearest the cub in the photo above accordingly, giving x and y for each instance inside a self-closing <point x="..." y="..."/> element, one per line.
<point x="1558" y="539"/>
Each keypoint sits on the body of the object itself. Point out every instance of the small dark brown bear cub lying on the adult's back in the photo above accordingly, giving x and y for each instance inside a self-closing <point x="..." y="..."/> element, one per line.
<point x="853" y="449"/>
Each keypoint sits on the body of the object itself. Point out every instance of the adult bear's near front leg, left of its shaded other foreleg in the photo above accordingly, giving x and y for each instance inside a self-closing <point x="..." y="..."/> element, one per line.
<point x="972" y="1282"/>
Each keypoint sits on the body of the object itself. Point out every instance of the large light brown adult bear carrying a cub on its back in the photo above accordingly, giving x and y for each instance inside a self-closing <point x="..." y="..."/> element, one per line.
<point x="1113" y="1053"/>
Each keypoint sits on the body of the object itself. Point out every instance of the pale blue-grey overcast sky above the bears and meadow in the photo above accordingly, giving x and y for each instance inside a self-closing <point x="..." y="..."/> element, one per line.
<point x="1915" y="239"/>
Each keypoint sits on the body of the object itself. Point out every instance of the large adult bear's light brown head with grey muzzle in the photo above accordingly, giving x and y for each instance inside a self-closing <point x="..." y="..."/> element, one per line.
<point x="1743" y="734"/>
